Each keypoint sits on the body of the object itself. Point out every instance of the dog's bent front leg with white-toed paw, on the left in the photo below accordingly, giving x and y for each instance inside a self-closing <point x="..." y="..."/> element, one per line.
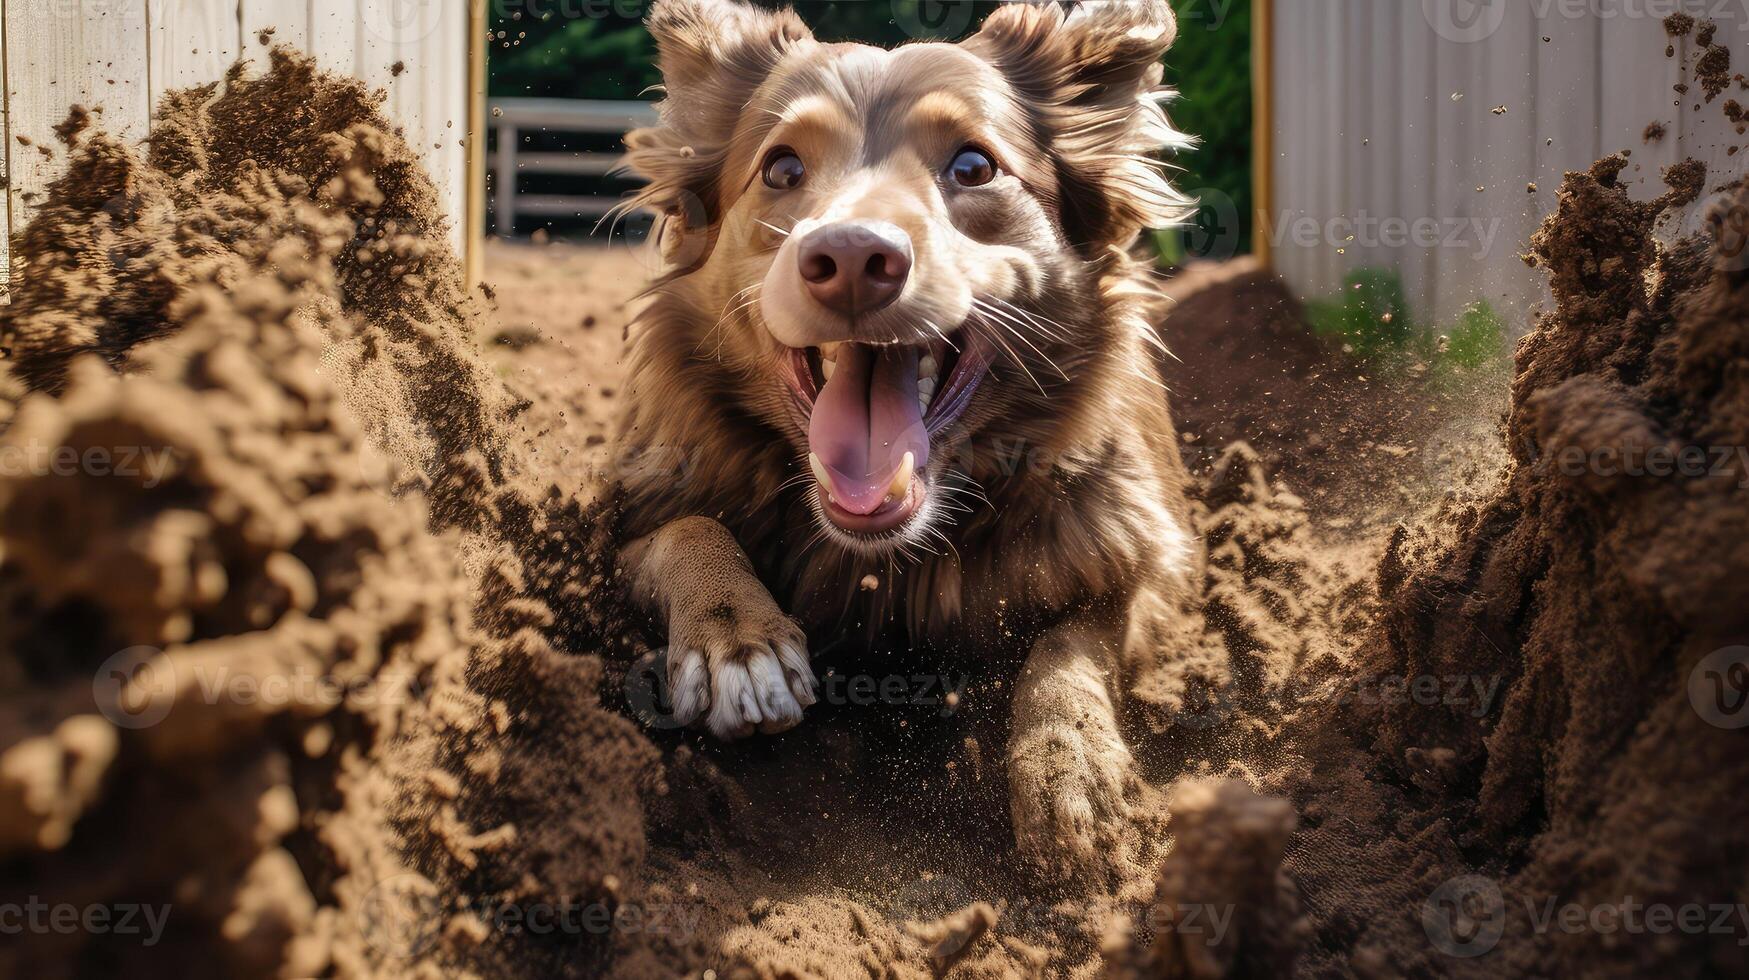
<point x="734" y="657"/>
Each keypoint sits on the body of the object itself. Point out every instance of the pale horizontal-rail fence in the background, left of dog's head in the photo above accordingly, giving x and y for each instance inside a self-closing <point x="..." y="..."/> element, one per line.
<point x="515" y="116"/>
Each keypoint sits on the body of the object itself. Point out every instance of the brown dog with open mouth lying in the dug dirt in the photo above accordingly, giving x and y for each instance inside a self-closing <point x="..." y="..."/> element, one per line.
<point x="891" y="270"/>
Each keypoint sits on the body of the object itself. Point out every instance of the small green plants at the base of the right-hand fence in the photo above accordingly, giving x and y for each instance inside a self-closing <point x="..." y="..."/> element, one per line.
<point x="1372" y="319"/>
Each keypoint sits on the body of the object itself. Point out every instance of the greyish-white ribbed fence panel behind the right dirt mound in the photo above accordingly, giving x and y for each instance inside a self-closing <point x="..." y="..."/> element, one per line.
<point x="1407" y="132"/>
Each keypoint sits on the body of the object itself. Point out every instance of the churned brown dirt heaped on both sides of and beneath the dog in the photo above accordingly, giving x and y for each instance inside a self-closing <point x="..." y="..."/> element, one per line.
<point x="310" y="666"/>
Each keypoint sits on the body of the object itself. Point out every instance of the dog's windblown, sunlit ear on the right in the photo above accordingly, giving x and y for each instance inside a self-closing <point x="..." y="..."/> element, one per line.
<point x="1092" y="80"/>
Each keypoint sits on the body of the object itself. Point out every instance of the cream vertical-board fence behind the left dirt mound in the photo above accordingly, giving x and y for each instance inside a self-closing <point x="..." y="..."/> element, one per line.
<point x="123" y="55"/>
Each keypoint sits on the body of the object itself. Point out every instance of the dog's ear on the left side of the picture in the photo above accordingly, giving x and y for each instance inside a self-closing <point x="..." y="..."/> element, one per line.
<point x="713" y="55"/>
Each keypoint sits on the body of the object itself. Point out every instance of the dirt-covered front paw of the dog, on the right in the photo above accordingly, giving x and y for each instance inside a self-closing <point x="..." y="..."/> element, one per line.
<point x="1071" y="797"/>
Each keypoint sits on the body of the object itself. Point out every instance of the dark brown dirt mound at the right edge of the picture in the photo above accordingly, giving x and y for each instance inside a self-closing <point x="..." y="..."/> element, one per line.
<point x="1564" y="748"/>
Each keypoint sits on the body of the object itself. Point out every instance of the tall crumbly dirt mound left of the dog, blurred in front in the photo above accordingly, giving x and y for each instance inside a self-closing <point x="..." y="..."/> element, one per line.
<point x="268" y="570"/>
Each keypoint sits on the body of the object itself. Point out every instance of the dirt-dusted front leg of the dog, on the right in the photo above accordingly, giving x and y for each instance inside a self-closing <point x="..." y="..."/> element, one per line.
<point x="1071" y="778"/>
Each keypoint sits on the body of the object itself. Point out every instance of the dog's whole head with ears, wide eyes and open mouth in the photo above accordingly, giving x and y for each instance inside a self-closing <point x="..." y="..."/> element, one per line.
<point x="896" y="244"/>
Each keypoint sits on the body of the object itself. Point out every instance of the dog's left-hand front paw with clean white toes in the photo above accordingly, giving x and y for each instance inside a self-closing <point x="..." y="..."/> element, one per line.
<point x="739" y="664"/>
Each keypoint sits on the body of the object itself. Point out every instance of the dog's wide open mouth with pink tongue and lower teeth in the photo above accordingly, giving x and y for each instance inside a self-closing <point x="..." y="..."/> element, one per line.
<point x="872" y="412"/>
